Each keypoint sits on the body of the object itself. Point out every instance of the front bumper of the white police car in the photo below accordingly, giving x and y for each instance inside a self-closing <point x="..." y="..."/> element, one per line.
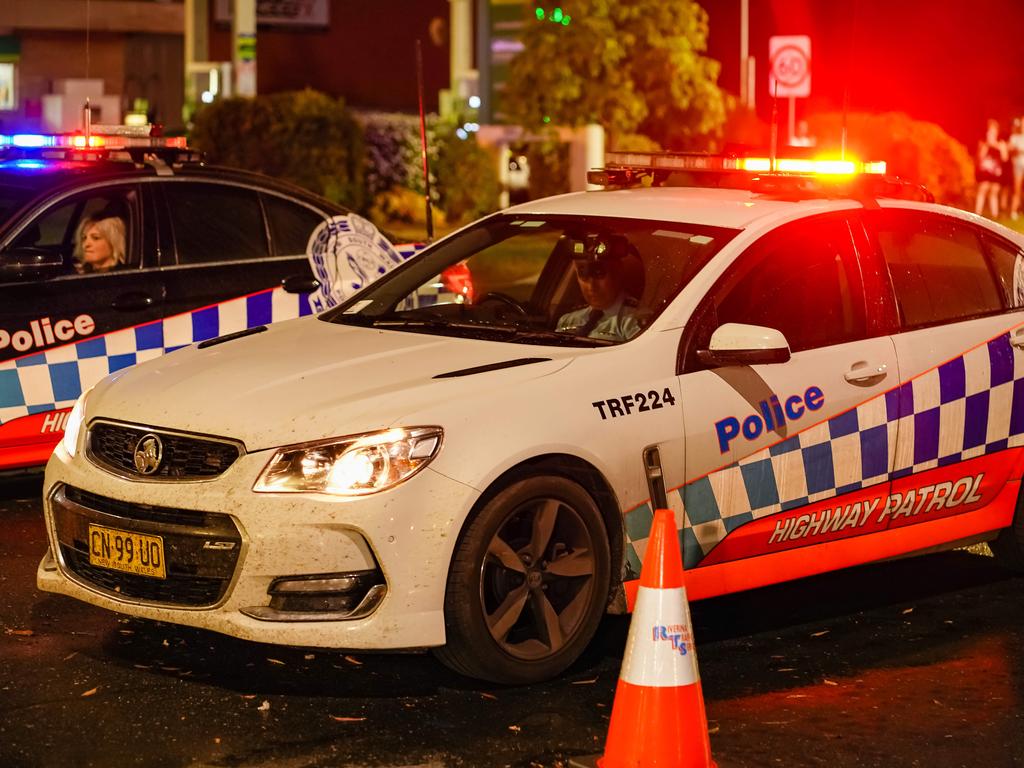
<point x="269" y="568"/>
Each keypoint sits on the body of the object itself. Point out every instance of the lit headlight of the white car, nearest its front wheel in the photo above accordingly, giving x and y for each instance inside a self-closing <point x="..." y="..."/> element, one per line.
<point x="352" y="466"/>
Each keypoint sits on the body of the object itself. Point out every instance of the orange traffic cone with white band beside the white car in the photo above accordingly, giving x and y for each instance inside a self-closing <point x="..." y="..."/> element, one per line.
<point x="658" y="718"/>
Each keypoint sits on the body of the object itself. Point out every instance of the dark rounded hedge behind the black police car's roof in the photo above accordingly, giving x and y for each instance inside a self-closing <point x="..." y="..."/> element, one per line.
<point x="305" y="138"/>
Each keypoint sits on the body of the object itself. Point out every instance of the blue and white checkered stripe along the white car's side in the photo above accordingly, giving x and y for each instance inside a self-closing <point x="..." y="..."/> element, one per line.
<point x="969" y="407"/>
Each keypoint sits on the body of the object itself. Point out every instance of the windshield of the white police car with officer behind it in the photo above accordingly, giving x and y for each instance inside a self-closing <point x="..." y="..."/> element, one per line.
<point x="548" y="280"/>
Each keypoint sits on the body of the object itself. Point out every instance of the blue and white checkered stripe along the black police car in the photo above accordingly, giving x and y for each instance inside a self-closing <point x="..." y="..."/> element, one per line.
<point x="55" y="379"/>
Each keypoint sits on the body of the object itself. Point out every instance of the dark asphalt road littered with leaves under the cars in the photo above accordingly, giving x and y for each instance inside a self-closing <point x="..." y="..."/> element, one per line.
<point x="914" y="663"/>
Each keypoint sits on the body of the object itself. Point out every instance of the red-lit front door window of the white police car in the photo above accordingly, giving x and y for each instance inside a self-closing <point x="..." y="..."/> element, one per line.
<point x="801" y="280"/>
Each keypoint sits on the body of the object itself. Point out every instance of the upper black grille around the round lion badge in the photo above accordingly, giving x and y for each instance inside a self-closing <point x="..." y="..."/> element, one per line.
<point x="184" y="457"/>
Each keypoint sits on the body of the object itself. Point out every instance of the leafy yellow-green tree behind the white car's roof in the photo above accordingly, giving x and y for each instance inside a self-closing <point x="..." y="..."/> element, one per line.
<point x="632" y="67"/>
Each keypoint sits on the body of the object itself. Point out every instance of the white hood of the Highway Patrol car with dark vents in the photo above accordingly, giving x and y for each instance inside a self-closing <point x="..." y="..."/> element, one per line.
<point x="308" y="379"/>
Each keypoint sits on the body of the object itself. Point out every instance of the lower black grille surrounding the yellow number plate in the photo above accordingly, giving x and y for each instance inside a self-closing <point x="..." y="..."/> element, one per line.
<point x="201" y="549"/>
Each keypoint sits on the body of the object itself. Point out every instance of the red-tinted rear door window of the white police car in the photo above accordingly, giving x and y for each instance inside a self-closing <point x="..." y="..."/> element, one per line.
<point x="938" y="268"/>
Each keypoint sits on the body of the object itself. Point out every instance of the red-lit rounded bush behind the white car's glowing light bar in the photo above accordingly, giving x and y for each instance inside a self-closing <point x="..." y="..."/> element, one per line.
<point x="914" y="150"/>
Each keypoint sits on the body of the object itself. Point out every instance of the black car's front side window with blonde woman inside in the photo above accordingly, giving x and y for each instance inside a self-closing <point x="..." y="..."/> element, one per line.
<point x="60" y="228"/>
